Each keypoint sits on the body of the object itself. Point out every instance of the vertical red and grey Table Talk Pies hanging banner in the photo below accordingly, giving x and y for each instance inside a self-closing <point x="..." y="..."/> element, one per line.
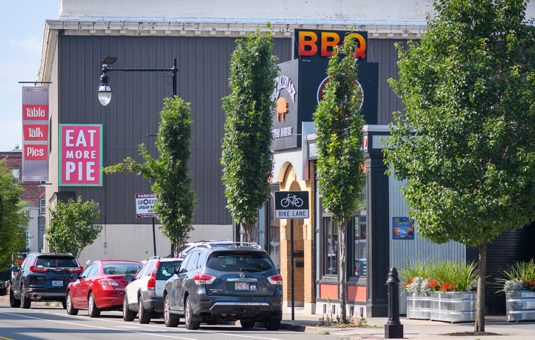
<point x="35" y="133"/>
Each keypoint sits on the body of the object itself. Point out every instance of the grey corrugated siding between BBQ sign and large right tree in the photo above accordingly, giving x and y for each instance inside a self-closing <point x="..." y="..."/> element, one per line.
<point x="382" y="51"/>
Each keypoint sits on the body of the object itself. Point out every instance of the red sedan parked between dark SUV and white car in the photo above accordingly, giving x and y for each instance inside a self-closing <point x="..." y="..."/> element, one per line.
<point x="100" y="287"/>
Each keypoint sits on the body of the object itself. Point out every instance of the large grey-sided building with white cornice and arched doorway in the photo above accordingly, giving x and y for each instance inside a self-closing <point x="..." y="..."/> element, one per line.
<point x="201" y="35"/>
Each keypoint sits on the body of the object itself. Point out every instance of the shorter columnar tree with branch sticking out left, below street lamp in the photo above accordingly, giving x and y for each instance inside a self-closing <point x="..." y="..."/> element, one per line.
<point x="169" y="172"/>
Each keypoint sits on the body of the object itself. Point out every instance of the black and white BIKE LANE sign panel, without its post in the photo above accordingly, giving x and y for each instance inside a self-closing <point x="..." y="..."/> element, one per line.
<point x="291" y="204"/>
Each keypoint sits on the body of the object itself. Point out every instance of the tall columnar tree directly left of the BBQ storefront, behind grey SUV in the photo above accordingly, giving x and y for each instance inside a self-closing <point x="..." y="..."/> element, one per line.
<point x="246" y="157"/>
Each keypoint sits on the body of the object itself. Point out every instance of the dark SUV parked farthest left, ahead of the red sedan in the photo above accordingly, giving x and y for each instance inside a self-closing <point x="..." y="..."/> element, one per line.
<point x="42" y="277"/>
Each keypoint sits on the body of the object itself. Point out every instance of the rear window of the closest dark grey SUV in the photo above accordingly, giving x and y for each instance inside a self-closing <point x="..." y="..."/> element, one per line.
<point x="235" y="261"/>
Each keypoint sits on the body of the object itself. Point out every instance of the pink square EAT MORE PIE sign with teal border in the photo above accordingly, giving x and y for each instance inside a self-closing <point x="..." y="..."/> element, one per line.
<point x="80" y="159"/>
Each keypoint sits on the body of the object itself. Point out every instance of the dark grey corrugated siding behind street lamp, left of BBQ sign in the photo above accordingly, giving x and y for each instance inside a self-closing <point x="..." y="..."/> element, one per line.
<point x="133" y="113"/>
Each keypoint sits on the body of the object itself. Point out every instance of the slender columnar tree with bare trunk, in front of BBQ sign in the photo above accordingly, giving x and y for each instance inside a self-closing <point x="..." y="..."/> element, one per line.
<point x="340" y="157"/>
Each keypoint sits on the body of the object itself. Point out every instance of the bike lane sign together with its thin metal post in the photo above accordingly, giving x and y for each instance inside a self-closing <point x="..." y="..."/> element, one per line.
<point x="291" y="205"/>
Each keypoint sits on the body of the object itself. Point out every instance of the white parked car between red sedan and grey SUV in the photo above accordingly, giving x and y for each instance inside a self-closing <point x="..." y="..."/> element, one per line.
<point x="144" y="295"/>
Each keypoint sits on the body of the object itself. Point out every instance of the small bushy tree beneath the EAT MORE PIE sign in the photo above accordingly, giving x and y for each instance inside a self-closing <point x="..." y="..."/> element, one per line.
<point x="73" y="225"/>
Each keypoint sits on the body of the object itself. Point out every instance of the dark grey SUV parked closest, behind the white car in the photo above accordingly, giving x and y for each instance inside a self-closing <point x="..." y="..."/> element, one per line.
<point x="225" y="282"/>
